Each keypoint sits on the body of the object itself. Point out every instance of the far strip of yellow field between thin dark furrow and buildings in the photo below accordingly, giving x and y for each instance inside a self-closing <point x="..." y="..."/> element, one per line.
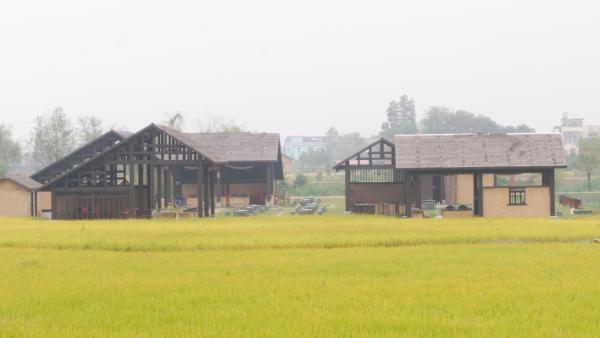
<point x="286" y="232"/>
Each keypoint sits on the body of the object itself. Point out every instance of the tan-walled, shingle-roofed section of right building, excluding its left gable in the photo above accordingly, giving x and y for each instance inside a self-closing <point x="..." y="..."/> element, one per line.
<point x="507" y="174"/>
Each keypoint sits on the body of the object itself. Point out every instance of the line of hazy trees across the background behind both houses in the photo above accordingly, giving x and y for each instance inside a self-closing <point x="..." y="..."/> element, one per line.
<point x="54" y="135"/>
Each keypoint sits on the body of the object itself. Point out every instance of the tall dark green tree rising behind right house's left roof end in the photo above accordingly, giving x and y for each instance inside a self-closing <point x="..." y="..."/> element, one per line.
<point x="401" y="118"/>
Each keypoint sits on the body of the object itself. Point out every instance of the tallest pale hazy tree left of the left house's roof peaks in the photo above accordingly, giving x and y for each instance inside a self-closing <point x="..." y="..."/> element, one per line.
<point x="53" y="138"/>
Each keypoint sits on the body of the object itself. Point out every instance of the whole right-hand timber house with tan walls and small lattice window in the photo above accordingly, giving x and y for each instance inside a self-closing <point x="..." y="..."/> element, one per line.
<point x="470" y="174"/>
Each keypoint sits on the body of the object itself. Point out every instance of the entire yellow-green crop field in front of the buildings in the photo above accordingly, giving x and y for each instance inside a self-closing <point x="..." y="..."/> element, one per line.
<point x="311" y="276"/>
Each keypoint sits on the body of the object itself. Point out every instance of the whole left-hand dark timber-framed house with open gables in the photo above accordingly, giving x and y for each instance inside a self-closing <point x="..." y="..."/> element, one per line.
<point x="130" y="175"/>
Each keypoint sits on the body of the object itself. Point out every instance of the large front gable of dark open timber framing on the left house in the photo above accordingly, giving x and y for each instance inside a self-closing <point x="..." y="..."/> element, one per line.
<point x="133" y="177"/>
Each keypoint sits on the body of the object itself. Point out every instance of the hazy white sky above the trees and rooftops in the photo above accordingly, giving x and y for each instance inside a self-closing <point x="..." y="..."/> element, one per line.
<point x="298" y="67"/>
